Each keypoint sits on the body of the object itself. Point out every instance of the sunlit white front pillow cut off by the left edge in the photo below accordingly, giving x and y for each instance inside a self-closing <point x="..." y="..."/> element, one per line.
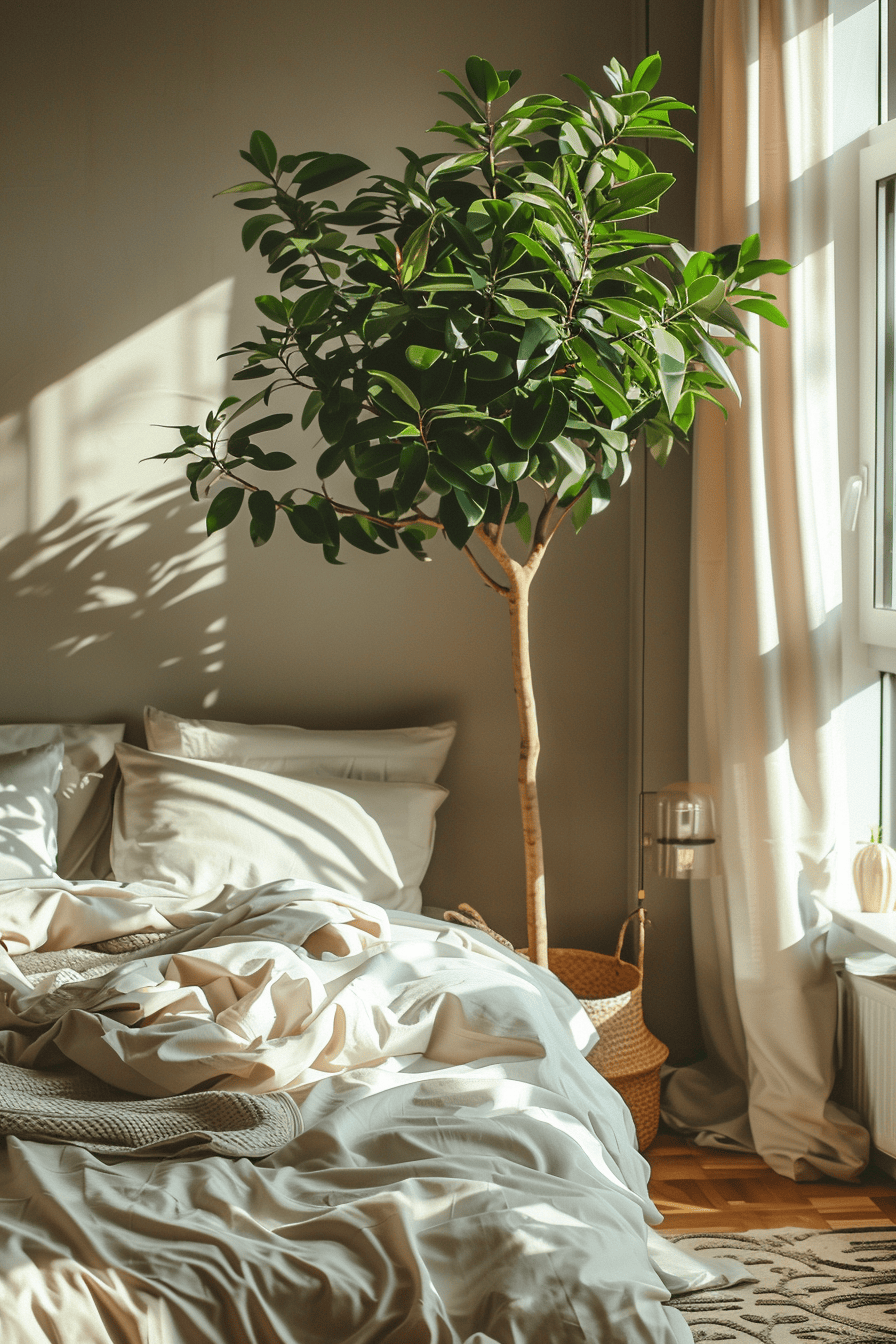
<point x="29" y="783"/>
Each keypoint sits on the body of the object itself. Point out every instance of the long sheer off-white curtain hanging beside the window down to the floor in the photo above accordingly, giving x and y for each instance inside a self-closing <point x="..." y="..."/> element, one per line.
<point x="765" y="616"/>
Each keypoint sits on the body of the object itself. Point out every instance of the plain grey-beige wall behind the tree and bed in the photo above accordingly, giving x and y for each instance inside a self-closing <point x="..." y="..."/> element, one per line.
<point x="123" y="280"/>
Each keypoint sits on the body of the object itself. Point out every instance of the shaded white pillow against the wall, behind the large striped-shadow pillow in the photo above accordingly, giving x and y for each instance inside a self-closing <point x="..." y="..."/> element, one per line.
<point x="397" y="755"/>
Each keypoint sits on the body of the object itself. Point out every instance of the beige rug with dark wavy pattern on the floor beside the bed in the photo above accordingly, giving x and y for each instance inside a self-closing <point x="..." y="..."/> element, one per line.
<point x="812" y="1287"/>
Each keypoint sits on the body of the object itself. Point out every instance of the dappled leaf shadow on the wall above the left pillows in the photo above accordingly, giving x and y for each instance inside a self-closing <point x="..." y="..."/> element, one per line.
<point x="109" y="610"/>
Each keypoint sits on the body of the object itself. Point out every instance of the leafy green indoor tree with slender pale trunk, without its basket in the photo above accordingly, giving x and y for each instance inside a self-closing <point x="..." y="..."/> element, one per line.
<point x="482" y="343"/>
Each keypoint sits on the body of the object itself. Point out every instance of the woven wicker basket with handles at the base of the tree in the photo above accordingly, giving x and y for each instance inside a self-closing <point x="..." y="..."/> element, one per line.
<point x="609" y="990"/>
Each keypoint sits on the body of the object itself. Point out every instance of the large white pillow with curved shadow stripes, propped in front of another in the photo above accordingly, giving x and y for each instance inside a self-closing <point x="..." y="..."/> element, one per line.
<point x="198" y="826"/>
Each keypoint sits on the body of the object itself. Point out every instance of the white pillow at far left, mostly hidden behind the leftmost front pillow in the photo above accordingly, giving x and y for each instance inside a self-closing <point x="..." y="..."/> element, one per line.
<point x="84" y="796"/>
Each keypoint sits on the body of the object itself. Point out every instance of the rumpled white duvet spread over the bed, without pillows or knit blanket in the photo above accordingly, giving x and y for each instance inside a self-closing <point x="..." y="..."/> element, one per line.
<point x="463" y="1175"/>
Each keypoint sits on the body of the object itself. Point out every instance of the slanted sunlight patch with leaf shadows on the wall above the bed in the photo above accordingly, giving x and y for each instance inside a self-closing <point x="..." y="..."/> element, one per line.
<point x="104" y="558"/>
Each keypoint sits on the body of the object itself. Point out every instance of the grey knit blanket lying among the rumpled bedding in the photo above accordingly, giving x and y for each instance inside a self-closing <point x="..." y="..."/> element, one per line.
<point x="76" y="1108"/>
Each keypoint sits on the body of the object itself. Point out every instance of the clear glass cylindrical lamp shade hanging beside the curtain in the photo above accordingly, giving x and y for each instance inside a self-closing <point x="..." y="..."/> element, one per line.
<point x="679" y="830"/>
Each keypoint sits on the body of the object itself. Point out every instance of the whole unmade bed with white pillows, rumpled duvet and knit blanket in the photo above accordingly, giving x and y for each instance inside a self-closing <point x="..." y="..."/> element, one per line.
<point x="253" y="1093"/>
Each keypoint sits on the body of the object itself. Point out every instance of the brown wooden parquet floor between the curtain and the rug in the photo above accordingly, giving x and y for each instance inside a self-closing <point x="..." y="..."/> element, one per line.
<point x="705" y="1190"/>
